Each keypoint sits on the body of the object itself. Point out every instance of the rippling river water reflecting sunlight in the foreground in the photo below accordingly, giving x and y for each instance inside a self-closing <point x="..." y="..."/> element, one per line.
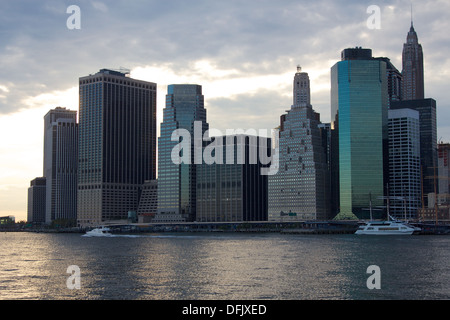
<point x="223" y="266"/>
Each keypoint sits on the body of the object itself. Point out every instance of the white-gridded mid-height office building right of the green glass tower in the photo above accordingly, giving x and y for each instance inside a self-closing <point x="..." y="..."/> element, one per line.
<point x="404" y="163"/>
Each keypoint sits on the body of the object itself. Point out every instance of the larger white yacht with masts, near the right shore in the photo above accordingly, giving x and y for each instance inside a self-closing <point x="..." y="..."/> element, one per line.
<point x="390" y="227"/>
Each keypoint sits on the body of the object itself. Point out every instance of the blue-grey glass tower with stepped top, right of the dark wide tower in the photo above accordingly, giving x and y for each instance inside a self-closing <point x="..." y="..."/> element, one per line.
<point x="177" y="181"/>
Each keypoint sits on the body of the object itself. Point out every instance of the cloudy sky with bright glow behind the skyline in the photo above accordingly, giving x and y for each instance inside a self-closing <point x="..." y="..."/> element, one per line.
<point x="243" y="52"/>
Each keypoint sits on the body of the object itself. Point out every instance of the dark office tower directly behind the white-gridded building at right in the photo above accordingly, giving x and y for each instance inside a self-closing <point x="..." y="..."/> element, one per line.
<point x="428" y="141"/>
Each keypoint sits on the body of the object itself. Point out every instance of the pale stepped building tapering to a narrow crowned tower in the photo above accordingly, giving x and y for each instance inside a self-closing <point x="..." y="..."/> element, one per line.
<point x="300" y="190"/>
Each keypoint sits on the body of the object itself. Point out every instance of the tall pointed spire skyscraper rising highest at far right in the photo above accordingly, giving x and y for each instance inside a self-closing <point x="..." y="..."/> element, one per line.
<point x="412" y="72"/>
